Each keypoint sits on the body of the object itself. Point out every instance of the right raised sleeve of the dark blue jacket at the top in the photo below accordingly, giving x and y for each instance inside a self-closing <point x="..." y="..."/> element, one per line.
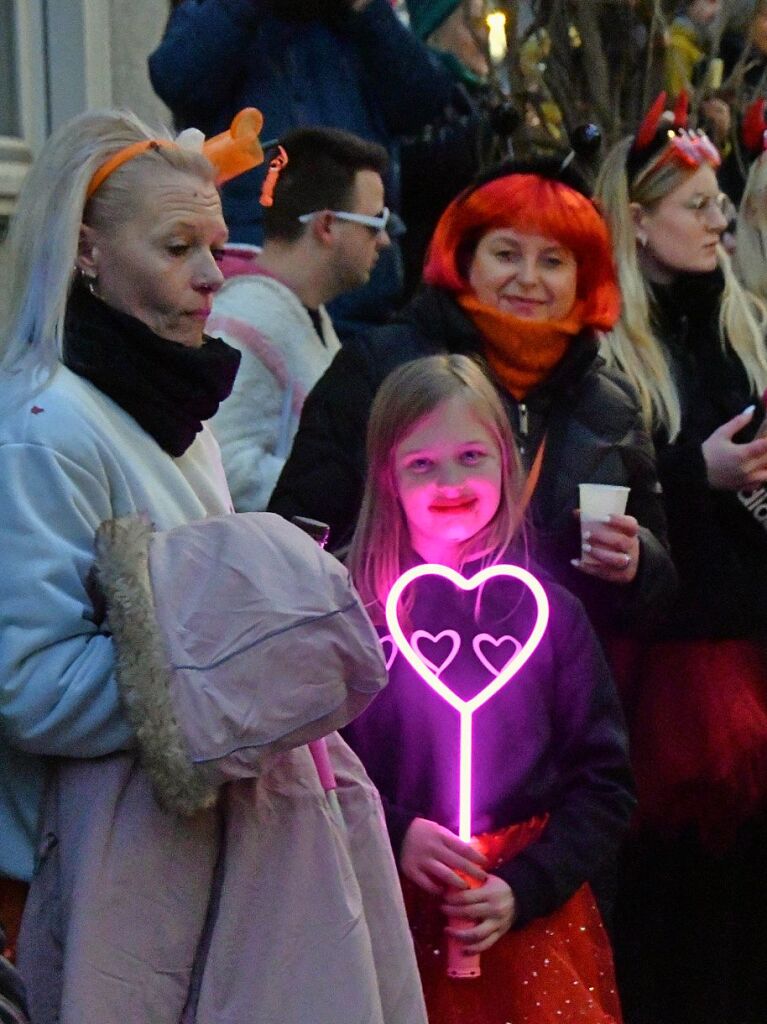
<point x="405" y="80"/>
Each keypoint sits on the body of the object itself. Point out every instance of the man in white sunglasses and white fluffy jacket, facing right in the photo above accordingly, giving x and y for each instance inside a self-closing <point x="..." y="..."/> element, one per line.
<point x="325" y="228"/>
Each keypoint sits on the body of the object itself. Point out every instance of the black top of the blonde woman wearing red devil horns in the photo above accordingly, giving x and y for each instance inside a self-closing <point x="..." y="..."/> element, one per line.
<point x="718" y="538"/>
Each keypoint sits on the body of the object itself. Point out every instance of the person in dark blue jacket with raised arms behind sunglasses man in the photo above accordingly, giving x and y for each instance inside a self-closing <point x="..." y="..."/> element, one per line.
<point x="343" y="64"/>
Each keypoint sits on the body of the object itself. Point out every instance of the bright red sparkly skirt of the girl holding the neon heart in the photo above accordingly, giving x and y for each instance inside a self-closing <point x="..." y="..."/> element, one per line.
<point x="557" y="970"/>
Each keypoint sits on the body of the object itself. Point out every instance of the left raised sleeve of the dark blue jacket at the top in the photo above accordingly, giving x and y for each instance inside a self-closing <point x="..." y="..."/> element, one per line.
<point x="202" y="55"/>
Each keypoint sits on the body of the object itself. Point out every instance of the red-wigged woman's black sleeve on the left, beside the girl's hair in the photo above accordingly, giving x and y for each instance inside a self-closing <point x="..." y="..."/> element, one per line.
<point x="325" y="474"/>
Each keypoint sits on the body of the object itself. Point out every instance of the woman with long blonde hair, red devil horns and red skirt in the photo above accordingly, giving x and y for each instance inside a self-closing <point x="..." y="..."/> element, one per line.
<point x="692" y="936"/>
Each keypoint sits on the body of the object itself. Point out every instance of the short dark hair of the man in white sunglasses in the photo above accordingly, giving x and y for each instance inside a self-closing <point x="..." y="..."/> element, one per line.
<point x="320" y="176"/>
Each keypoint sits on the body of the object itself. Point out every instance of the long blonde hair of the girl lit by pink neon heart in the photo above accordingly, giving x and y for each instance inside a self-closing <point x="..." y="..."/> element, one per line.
<point x="380" y="548"/>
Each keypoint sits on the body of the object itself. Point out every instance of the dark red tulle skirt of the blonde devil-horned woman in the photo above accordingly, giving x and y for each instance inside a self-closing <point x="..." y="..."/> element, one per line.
<point x="698" y="716"/>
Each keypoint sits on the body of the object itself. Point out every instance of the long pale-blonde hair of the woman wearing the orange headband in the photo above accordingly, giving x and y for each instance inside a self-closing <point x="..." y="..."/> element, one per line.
<point x="45" y="236"/>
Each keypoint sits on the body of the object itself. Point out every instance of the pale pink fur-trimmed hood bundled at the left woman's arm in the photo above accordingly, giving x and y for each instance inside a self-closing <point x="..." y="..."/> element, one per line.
<point x="237" y="638"/>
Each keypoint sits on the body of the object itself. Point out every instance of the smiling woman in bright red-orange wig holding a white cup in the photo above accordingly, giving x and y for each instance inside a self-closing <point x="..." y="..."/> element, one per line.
<point x="520" y="275"/>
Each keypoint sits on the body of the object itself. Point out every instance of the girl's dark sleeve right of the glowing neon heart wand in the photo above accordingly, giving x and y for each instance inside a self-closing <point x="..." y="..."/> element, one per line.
<point x="594" y="800"/>
